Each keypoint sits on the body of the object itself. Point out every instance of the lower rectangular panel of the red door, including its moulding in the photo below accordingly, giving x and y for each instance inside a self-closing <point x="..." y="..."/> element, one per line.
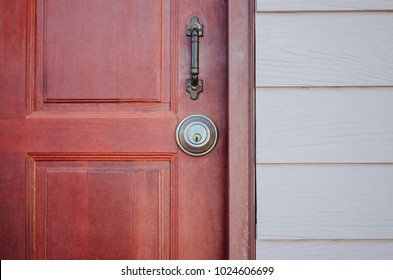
<point x="109" y="209"/>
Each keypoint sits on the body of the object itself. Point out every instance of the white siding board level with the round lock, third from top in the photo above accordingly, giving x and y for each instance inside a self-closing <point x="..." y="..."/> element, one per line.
<point x="324" y="125"/>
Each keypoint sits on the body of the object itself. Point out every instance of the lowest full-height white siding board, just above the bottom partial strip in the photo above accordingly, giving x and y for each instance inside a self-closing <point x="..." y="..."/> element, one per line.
<point x="325" y="201"/>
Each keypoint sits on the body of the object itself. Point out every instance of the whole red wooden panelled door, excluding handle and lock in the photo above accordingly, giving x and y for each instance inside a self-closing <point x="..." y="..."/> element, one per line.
<point x="91" y="93"/>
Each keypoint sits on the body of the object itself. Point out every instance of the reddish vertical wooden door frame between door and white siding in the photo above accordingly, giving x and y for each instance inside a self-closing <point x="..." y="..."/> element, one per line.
<point x="241" y="132"/>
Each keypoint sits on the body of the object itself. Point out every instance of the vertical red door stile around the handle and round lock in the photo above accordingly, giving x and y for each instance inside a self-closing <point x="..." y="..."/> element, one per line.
<point x="199" y="230"/>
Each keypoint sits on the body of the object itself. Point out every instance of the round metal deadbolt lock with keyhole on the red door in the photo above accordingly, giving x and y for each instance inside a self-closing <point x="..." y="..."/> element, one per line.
<point x="196" y="135"/>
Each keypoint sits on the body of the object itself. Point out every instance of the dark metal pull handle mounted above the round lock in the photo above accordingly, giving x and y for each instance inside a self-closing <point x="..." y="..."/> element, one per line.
<point x="194" y="86"/>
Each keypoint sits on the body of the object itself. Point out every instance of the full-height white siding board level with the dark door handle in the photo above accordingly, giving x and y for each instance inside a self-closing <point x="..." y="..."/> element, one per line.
<point x="328" y="49"/>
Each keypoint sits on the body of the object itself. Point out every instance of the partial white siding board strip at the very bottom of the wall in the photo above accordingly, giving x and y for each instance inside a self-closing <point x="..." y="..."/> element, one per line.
<point x="325" y="250"/>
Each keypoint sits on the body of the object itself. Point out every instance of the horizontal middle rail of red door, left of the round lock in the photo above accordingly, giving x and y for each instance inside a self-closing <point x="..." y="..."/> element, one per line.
<point x="80" y="135"/>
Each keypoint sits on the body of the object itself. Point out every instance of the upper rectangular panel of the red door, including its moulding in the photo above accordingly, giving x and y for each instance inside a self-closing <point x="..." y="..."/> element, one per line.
<point x="100" y="52"/>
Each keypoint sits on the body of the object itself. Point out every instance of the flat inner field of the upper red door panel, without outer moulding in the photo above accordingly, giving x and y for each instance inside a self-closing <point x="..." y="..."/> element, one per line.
<point x="121" y="43"/>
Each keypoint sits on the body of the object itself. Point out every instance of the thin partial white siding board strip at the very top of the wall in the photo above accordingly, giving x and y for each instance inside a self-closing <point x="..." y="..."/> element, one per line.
<point x="323" y="5"/>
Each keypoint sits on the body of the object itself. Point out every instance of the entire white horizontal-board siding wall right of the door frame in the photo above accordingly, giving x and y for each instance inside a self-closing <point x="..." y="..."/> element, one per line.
<point x="324" y="125"/>
